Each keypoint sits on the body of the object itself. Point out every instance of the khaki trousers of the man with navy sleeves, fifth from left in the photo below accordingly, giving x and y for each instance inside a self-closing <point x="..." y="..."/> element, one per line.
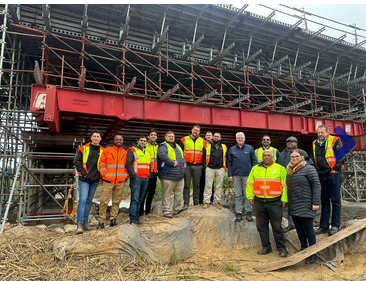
<point x="168" y="187"/>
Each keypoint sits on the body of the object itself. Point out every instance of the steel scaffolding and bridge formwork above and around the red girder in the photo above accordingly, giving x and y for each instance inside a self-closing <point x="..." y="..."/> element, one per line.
<point x="216" y="55"/>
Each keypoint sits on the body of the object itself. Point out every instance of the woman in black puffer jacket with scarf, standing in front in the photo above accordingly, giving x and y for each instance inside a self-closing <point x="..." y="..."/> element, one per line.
<point x="303" y="187"/>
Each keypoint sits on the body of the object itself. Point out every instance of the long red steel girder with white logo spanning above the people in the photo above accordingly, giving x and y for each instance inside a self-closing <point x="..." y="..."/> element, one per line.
<point x="128" y="107"/>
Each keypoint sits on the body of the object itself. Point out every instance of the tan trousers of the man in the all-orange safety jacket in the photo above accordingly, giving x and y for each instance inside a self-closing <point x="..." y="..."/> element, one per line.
<point x="114" y="190"/>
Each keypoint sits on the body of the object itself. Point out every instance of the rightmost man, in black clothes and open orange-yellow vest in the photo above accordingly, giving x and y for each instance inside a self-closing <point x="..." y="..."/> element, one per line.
<point x="330" y="176"/>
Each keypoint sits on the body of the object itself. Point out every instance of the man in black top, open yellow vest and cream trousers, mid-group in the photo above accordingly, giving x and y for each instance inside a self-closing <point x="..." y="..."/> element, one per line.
<point x="215" y="155"/>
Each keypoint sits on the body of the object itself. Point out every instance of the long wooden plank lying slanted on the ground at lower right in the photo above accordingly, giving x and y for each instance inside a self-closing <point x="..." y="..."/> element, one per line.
<point x="294" y="259"/>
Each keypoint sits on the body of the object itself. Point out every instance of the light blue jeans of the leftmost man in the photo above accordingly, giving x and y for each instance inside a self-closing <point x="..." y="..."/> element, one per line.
<point x="86" y="194"/>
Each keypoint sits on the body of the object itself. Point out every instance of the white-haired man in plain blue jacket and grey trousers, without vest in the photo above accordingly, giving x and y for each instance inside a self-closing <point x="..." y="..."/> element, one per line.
<point x="240" y="160"/>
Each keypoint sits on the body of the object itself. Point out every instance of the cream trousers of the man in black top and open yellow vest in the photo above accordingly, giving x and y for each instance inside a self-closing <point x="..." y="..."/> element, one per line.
<point x="212" y="174"/>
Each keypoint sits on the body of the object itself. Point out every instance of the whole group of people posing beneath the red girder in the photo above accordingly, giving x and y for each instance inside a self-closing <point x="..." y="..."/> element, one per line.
<point x="267" y="180"/>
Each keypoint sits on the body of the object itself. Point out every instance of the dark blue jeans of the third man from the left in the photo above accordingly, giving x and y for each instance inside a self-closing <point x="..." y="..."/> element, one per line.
<point x="138" y="188"/>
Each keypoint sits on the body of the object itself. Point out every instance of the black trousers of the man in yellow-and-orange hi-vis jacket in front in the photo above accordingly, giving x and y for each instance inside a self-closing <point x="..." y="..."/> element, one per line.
<point x="270" y="212"/>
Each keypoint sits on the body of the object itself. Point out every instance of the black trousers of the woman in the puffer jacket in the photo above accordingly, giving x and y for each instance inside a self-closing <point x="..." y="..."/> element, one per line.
<point x="305" y="231"/>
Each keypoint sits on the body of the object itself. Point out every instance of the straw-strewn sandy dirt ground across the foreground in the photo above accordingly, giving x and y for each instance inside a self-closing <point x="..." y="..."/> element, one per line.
<point x="31" y="258"/>
